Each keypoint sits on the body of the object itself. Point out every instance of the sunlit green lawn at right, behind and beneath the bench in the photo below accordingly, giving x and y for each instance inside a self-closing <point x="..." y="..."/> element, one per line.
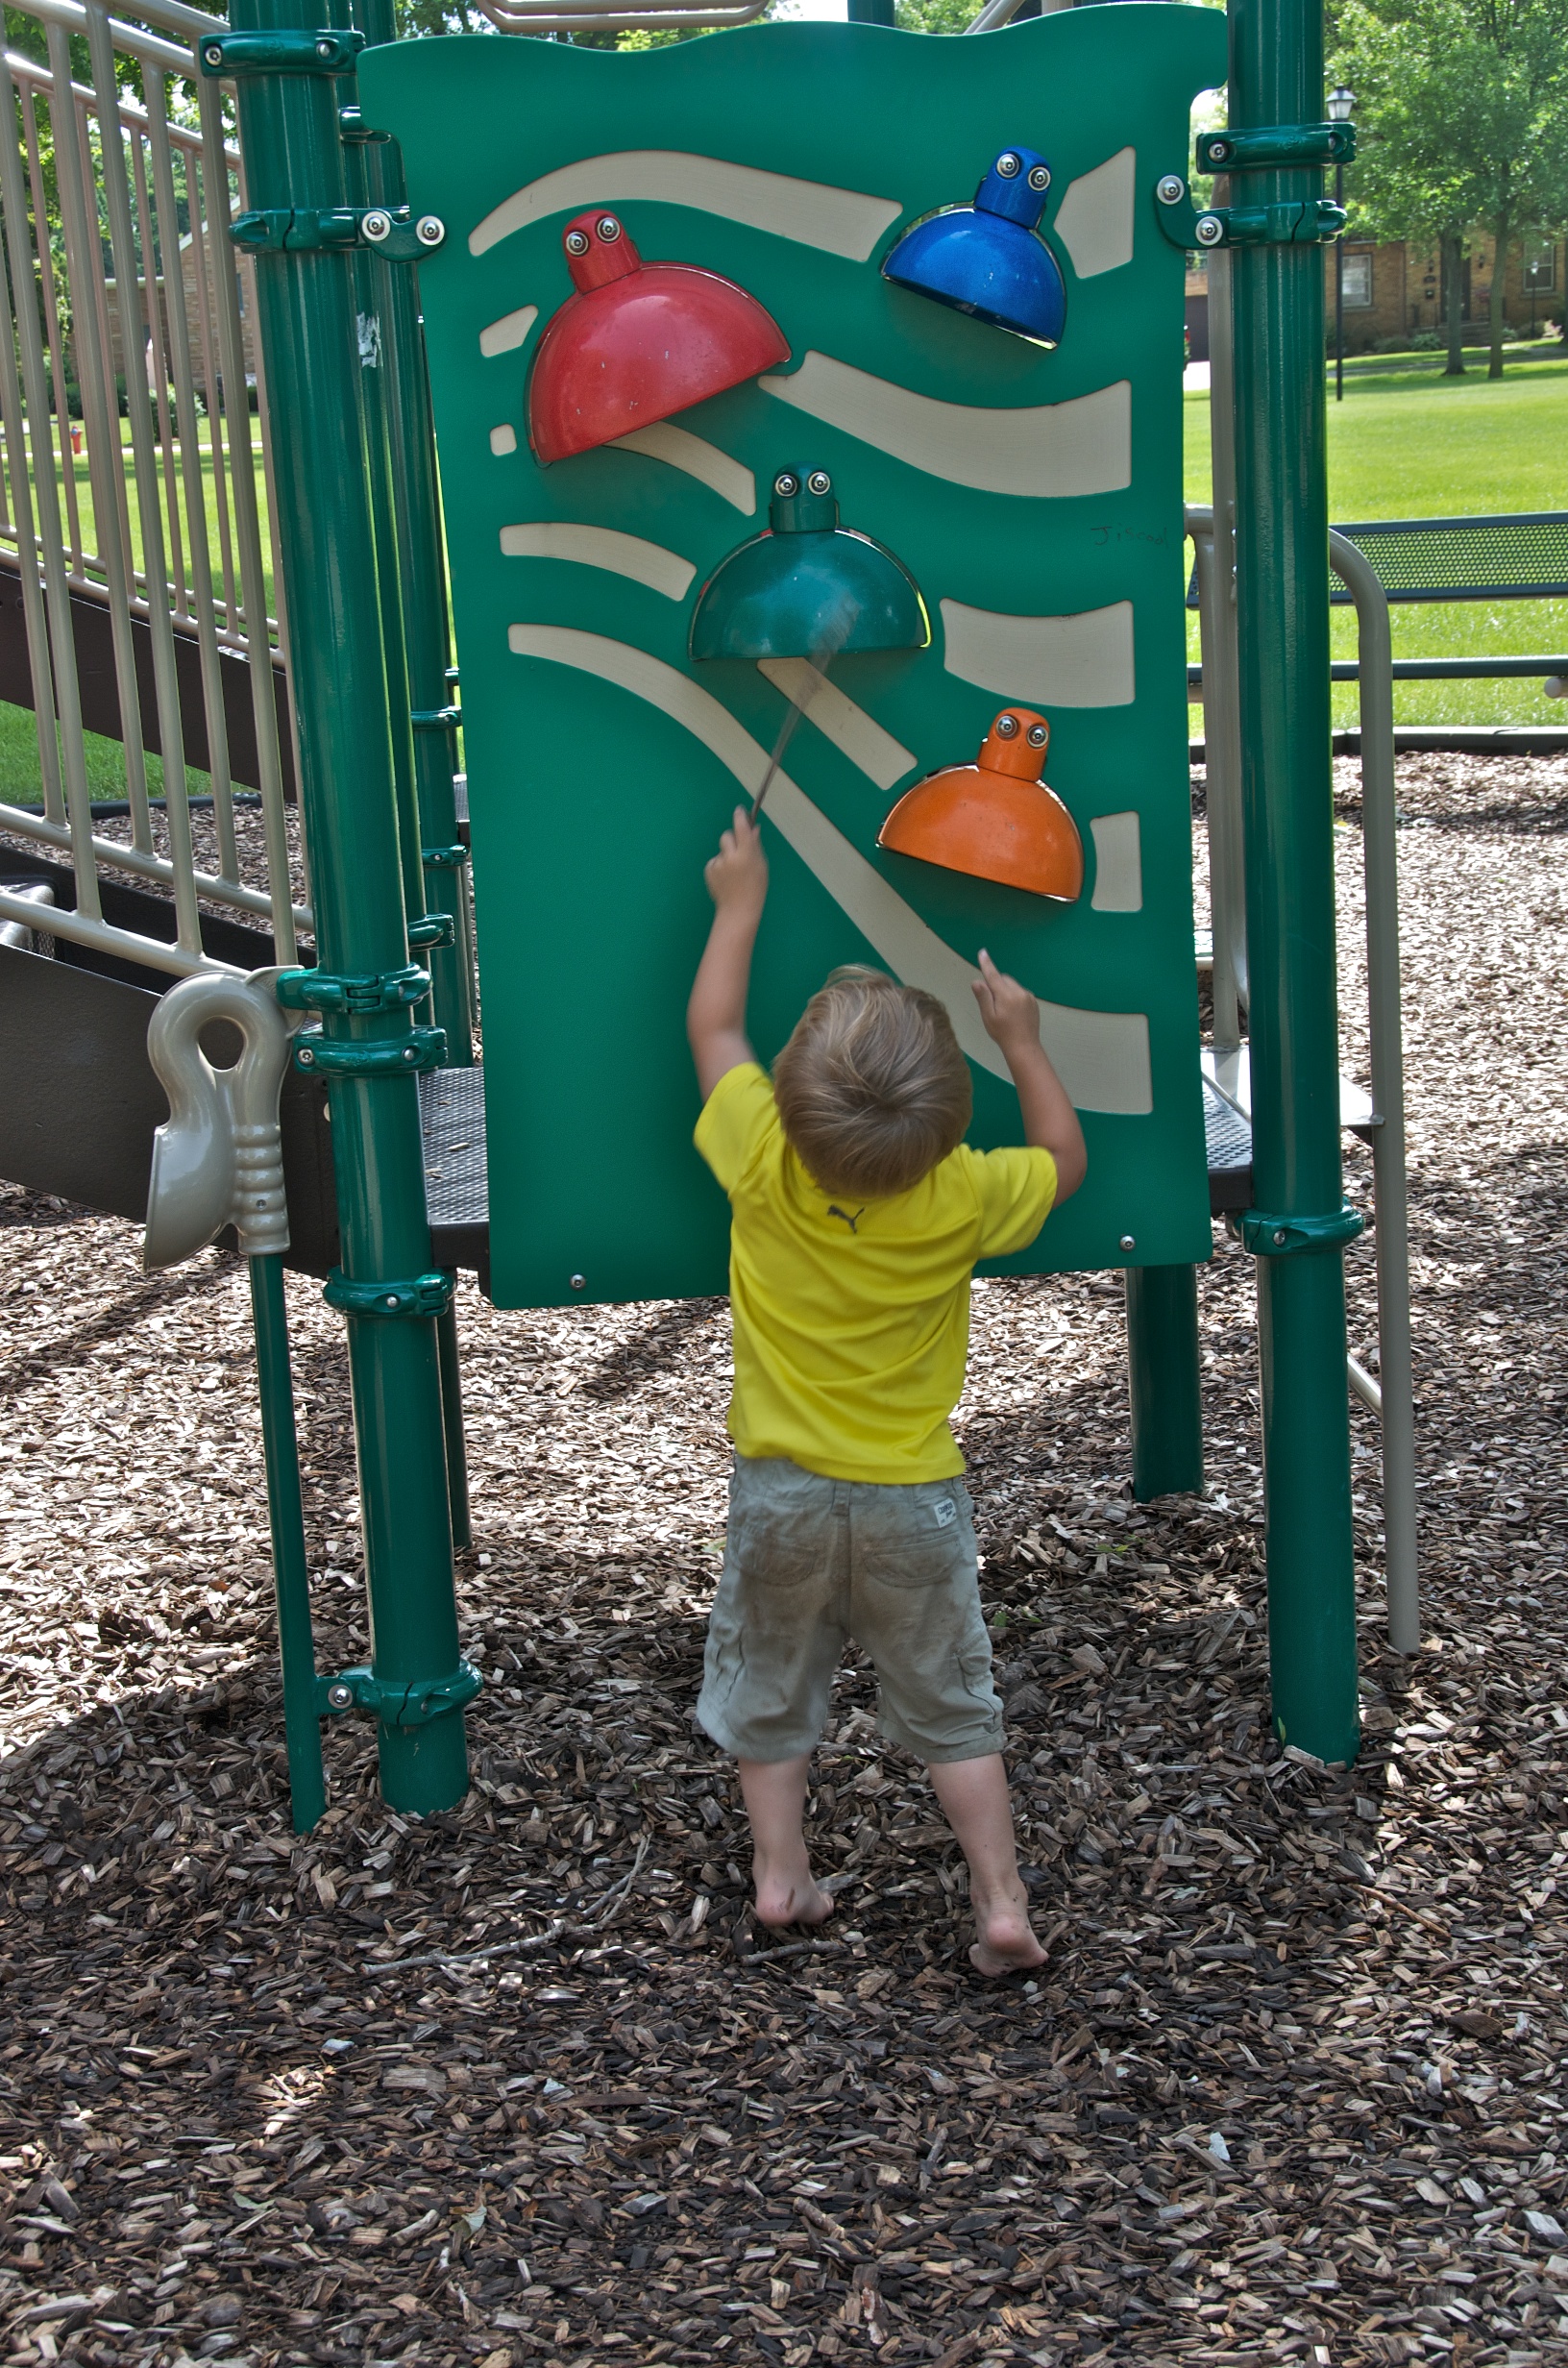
<point x="1406" y="446"/>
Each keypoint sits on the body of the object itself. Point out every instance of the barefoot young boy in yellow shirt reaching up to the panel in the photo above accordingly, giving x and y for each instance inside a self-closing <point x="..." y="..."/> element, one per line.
<point x="859" y="1216"/>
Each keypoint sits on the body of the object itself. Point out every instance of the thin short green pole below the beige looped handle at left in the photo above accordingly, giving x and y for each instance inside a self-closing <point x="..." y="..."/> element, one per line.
<point x="288" y="1519"/>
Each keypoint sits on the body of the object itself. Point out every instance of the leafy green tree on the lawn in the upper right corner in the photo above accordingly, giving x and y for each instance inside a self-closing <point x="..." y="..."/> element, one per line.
<point x="1465" y="124"/>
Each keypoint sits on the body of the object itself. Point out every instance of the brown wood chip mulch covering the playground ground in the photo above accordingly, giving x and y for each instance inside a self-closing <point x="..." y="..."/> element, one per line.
<point x="522" y="2085"/>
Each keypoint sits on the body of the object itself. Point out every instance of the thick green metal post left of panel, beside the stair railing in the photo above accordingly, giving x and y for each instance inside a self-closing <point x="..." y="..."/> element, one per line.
<point x="307" y="321"/>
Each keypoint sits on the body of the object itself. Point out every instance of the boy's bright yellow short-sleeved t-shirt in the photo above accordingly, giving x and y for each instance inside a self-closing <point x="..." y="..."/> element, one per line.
<point x="852" y="1323"/>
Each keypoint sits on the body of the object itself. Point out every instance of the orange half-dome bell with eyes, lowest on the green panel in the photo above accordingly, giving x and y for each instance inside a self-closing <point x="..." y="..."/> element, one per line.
<point x="996" y="818"/>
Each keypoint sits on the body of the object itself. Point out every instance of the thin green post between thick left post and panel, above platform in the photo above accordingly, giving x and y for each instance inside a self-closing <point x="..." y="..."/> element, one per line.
<point x="423" y="593"/>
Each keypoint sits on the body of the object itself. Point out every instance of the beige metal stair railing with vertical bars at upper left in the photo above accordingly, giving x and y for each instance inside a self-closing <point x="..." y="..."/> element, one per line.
<point x="131" y="472"/>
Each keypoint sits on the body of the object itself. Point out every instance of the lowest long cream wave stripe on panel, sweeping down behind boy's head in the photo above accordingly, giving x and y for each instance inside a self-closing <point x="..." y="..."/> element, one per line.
<point x="1103" y="1057"/>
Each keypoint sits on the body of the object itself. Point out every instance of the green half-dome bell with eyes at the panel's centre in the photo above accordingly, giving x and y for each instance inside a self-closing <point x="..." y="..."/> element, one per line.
<point x="809" y="586"/>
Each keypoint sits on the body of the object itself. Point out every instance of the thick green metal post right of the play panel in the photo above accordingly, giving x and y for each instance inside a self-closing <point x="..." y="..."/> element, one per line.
<point x="1283" y="593"/>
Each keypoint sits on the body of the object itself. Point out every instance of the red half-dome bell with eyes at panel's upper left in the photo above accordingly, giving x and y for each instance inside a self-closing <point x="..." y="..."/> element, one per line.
<point x="638" y="342"/>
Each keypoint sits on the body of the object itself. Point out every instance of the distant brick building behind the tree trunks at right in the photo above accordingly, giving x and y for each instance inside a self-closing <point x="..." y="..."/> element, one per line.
<point x="1396" y="290"/>
